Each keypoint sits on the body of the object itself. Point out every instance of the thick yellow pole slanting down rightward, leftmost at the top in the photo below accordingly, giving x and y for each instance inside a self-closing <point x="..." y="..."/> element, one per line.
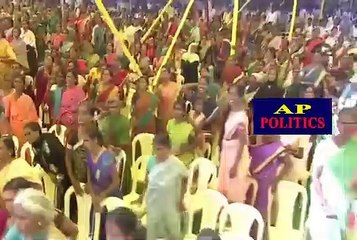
<point x="114" y="30"/>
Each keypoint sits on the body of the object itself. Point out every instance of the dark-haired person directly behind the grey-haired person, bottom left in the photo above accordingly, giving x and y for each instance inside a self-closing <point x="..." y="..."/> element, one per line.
<point x="66" y="226"/>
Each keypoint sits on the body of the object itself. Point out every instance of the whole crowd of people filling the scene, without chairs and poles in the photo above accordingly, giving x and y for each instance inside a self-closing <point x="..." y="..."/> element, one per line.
<point x="63" y="67"/>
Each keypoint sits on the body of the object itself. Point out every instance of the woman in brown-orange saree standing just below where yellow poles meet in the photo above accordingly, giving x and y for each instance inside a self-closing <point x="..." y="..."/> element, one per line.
<point x="144" y="106"/>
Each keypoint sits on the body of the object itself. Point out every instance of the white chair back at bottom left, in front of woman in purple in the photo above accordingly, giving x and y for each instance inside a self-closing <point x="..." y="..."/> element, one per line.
<point x="84" y="204"/>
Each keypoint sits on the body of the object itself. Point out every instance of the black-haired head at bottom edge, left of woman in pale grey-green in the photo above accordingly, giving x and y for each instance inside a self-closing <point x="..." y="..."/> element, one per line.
<point x="125" y="219"/>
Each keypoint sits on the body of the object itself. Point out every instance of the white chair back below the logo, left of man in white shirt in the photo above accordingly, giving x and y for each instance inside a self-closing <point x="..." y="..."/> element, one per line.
<point x="287" y="194"/>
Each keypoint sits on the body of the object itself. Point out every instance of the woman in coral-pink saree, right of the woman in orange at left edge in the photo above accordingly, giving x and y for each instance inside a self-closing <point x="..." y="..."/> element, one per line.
<point x="71" y="99"/>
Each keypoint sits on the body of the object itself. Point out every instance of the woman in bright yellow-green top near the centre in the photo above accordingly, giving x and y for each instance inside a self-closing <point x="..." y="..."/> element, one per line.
<point x="182" y="134"/>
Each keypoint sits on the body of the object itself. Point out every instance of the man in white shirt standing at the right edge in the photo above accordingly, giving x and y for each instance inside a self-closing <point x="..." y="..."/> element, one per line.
<point x="328" y="201"/>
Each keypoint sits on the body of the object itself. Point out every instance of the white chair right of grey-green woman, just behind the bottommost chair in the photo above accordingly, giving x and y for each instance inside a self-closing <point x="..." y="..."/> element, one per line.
<point x="211" y="205"/>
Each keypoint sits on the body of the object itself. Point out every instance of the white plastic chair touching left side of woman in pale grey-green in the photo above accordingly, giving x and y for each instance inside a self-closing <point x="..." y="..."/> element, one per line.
<point x="138" y="174"/>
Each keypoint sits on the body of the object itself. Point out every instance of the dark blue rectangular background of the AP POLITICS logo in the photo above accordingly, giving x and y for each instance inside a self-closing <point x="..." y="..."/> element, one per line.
<point x="265" y="108"/>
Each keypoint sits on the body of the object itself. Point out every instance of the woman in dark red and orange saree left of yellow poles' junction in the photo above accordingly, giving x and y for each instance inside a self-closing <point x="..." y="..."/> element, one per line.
<point x="106" y="89"/>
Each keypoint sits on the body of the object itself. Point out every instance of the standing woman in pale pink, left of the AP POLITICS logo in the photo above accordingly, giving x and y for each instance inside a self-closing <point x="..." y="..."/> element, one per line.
<point x="233" y="170"/>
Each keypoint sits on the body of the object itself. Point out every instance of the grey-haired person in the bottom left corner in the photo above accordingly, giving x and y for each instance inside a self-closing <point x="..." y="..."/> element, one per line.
<point x="34" y="217"/>
